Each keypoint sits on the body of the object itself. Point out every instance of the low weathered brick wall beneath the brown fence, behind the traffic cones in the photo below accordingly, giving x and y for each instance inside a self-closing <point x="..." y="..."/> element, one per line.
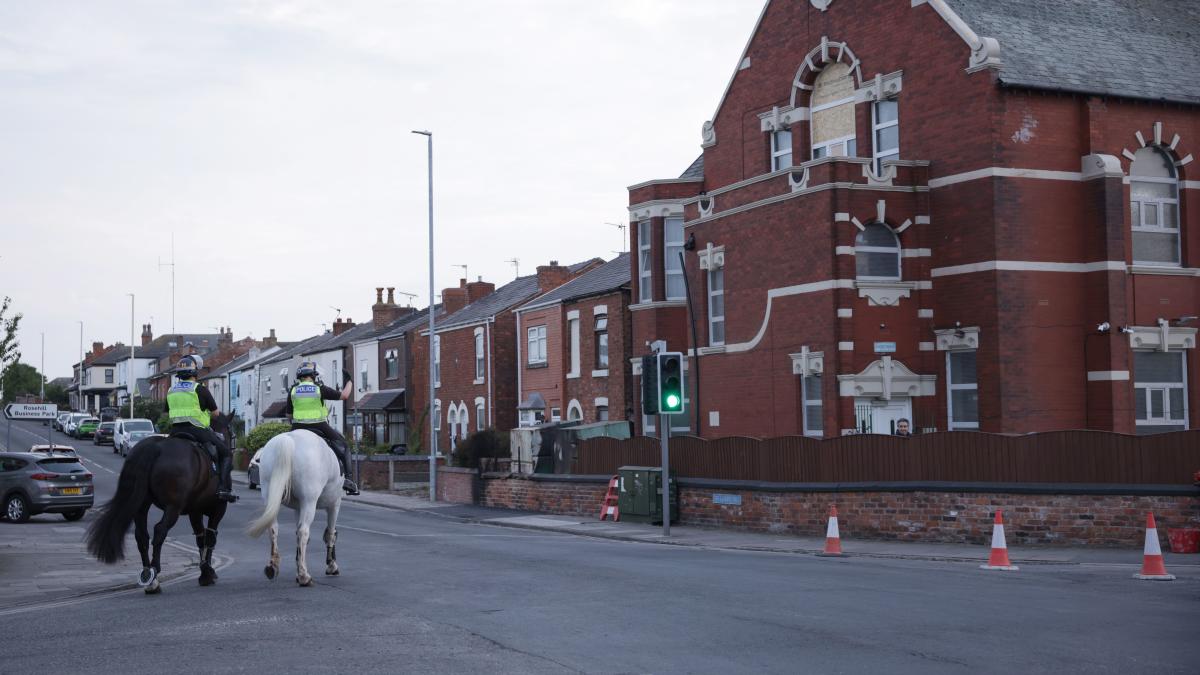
<point x="1030" y="519"/>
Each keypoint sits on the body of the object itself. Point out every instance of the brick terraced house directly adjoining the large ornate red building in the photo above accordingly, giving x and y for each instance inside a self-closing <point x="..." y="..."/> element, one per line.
<point x="575" y="350"/>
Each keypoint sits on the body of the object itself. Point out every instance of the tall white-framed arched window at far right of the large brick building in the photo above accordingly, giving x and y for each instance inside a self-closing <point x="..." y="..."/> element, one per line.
<point x="1155" y="208"/>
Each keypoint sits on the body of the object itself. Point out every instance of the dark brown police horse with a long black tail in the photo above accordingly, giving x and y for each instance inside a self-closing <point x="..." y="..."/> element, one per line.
<point x="177" y="476"/>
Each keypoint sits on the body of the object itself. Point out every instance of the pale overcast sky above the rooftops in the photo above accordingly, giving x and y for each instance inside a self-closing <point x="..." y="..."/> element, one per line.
<point x="273" y="139"/>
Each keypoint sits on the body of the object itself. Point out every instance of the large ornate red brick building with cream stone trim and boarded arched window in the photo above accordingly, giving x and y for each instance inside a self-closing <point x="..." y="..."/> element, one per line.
<point x="963" y="213"/>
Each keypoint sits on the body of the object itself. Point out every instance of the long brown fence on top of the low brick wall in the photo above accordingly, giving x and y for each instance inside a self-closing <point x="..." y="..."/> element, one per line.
<point x="1054" y="457"/>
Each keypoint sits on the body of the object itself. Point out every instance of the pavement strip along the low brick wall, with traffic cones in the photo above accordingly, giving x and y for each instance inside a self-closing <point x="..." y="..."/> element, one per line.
<point x="731" y="540"/>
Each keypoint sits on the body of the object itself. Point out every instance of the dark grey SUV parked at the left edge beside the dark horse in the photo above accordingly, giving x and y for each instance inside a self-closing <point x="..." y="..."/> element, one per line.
<point x="33" y="483"/>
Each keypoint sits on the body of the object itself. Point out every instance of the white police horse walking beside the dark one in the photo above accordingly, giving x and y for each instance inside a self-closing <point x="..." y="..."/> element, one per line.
<point x="298" y="470"/>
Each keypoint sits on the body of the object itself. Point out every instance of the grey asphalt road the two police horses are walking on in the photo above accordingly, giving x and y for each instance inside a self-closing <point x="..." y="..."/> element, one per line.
<point x="421" y="594"/>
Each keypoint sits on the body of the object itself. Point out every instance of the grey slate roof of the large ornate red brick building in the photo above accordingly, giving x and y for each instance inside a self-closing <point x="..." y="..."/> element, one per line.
<point x="1127" y="49"/>
